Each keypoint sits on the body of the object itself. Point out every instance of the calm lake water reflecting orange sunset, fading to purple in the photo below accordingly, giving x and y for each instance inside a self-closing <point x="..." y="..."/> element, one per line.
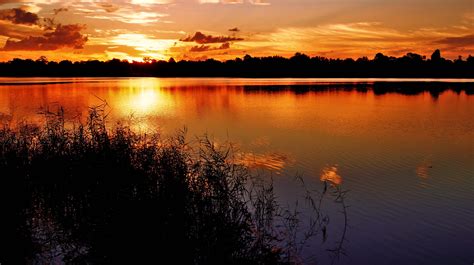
<point x="404" y="150"/>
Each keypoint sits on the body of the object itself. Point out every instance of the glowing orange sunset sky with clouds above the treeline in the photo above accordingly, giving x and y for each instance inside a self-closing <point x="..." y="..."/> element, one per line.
<point x="224" y="29"/>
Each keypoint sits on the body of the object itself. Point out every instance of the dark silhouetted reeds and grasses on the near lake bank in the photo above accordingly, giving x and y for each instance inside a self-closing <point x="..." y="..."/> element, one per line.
<point x="87" y="194"/>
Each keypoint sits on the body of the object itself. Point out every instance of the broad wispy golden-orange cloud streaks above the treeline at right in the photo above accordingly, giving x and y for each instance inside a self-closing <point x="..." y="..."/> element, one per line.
<point x="360" y="39"/>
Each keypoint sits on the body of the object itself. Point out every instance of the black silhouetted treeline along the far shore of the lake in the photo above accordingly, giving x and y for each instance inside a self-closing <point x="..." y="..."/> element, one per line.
<point x="410" y="65"/>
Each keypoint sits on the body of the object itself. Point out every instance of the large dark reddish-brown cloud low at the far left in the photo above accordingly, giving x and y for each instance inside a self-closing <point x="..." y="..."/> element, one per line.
<point x="67" y="36"/>
